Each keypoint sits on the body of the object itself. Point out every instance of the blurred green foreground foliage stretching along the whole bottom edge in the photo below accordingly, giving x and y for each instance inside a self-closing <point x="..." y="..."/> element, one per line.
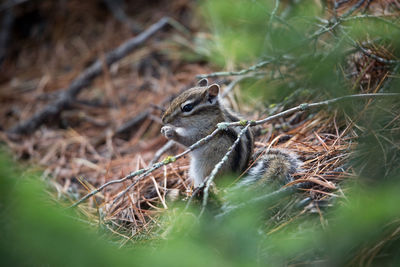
<point x="36" y="231"/>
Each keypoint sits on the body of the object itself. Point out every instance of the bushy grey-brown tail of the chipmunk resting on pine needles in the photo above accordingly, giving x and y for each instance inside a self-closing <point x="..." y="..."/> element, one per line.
<point x="275" y="167"/>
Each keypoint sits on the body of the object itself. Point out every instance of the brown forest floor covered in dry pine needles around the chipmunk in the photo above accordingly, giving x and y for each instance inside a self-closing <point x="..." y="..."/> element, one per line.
<point x="113" y="127"/>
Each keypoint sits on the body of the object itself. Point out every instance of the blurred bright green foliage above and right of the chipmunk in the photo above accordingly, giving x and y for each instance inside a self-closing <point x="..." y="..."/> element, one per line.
<point x="307" y="51"/>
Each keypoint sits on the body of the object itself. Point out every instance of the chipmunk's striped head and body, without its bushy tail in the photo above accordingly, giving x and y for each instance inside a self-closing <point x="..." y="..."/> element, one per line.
<point x="187" y="127"/>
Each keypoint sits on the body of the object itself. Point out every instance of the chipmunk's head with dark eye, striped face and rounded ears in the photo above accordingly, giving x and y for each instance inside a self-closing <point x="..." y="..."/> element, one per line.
<point x="196" y="105"/>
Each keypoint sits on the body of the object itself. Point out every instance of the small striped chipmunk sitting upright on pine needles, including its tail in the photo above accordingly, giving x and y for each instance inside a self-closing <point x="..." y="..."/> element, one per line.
<point x="195" y="113"/>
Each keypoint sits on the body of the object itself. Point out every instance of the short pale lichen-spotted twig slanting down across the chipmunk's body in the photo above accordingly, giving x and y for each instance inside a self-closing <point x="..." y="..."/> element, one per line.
<point x="208" y="181"/>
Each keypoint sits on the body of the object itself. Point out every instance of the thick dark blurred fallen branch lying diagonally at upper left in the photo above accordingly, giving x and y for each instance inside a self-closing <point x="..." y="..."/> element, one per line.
<point x="84" y="79"/>
